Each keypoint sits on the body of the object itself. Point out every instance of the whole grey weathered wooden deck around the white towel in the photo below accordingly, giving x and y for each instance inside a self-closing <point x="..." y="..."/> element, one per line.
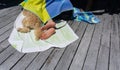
<point x="96" y="49"/>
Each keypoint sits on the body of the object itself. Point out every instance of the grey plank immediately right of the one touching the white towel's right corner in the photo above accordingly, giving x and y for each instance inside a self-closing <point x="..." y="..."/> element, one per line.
<point x="81" y="53"/>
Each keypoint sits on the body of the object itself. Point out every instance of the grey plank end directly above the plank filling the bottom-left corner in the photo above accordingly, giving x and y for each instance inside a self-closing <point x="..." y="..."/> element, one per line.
<point x="6" y="54"/>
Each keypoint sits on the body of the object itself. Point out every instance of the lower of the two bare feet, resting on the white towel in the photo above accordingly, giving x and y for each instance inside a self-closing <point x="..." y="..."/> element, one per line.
<point x="48" y="33"/>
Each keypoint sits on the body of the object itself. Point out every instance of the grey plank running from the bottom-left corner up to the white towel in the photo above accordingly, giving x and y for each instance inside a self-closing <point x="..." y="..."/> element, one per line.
<point x="13" y="59"/>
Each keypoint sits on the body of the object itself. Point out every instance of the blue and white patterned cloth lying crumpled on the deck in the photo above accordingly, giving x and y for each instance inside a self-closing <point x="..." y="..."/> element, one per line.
<point x="85" y="16"/>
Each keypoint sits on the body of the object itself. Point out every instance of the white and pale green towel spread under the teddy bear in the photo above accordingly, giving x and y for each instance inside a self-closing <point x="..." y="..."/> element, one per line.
<point x="26" y="43"/>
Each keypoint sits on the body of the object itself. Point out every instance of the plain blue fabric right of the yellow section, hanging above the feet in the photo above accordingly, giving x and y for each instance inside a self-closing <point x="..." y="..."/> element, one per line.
<point x="55" y="7"/>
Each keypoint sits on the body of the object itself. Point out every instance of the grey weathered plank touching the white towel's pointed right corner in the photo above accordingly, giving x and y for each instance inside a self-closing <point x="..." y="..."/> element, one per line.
<point x="70" y="51"/>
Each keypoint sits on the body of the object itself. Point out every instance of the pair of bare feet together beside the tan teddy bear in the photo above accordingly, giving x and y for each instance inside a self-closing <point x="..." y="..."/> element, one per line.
<point x="49" y="30"/>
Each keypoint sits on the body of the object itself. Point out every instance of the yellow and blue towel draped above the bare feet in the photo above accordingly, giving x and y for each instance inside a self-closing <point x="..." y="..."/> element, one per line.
<point x="47" y="9"/>
